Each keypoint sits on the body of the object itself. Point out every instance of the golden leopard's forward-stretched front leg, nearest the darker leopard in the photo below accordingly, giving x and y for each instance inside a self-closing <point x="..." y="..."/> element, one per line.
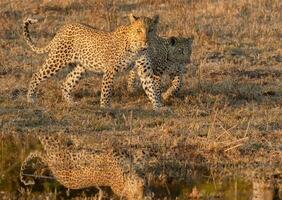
<point x="146" y="75"/>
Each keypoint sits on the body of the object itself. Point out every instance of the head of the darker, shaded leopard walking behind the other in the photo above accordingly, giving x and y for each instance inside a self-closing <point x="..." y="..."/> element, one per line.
<point x="180" y="49"/>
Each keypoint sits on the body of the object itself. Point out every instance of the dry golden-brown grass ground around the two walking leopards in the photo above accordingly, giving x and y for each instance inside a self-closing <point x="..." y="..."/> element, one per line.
<point x="230" y="110"/>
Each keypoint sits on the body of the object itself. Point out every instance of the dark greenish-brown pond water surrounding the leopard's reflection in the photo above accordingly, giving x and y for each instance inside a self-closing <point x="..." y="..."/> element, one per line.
<point x="201" y="182"/>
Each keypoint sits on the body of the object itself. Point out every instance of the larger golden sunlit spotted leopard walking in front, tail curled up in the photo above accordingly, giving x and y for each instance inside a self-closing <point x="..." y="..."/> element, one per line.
<point x="88" y="48"/>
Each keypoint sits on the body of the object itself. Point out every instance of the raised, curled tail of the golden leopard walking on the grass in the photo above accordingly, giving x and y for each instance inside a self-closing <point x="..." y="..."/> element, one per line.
<point x="39" y="50"/>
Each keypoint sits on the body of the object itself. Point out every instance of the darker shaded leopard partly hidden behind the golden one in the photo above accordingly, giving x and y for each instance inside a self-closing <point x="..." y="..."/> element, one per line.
<point x="169" y="56"/>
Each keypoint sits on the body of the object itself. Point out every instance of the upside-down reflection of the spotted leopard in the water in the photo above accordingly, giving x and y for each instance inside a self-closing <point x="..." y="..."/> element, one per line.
<point x="78" y="167"/>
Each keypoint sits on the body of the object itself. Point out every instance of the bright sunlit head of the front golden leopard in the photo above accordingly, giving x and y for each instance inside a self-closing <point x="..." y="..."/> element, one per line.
<point x="140" y="31"/>
